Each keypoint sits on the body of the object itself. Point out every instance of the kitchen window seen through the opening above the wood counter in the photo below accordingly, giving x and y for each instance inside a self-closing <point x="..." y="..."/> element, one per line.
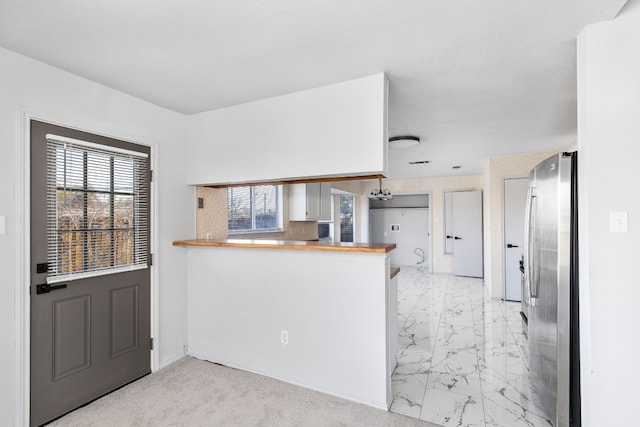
<point x="254" y="209"/>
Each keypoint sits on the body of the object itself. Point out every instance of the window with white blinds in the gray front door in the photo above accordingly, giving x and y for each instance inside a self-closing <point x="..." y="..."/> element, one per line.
<point x="97" y="209"/>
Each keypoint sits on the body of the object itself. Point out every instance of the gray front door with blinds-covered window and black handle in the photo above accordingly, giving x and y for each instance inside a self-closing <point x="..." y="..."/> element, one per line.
<point x="90" y="281"/>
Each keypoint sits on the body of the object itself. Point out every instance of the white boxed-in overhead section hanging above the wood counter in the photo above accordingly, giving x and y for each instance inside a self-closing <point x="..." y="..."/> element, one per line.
<point x="332" y="131"/>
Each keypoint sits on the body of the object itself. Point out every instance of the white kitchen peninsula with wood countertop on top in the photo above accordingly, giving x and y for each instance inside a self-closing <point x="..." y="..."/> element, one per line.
<point x="316" y="314"/>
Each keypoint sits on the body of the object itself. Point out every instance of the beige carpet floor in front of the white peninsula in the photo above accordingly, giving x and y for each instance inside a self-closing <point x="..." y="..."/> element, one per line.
<point x="193" y="392"/>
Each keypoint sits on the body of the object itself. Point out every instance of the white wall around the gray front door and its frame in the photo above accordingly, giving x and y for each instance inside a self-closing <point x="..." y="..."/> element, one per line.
<point x="95" y="108"/>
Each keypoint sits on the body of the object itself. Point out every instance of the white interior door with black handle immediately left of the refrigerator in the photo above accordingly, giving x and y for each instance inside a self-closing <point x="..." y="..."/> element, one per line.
<point x="515" y="198"/>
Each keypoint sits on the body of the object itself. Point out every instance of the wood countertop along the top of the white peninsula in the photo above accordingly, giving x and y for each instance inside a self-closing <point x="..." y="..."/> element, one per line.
<point x="295" y="245"/>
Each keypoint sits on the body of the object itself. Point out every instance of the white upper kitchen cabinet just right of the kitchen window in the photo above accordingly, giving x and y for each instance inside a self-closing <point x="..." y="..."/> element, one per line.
<point x="310" y="202"/>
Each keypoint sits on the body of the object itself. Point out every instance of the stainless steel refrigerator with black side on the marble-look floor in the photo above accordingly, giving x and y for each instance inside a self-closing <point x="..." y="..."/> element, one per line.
<point x="551" y="288"/>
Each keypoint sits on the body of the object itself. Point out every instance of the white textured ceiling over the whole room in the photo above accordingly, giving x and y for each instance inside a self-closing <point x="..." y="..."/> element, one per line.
<point x="472" y="79"/>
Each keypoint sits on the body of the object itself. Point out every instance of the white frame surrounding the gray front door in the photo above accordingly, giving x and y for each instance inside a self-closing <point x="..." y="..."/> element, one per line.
<point x="22" y="301"/>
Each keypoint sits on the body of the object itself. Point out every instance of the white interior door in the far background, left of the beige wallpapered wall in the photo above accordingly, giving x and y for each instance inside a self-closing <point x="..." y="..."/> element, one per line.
<point x="467" y="232"/>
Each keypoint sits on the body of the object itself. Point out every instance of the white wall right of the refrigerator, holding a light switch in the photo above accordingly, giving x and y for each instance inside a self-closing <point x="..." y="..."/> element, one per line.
<point x="609" y="149"/>
